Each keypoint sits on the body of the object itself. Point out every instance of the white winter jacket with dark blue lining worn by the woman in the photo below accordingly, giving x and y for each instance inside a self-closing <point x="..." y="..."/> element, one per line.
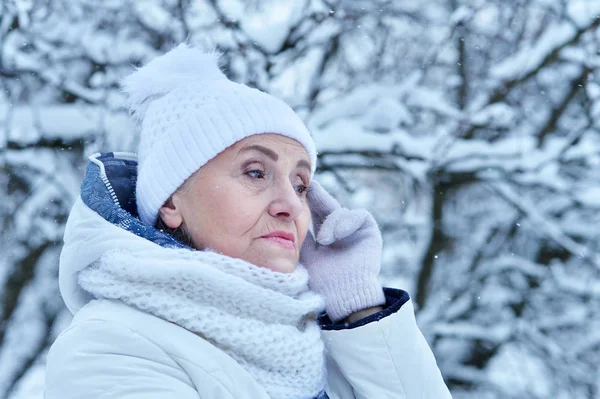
<point x="113" y="351"/>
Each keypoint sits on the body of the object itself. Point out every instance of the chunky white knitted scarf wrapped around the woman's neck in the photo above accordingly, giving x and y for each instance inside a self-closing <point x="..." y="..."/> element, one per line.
<point x="265" y="320"/>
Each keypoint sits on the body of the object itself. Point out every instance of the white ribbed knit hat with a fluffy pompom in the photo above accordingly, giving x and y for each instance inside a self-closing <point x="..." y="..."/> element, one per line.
<point x="188" y="112"/>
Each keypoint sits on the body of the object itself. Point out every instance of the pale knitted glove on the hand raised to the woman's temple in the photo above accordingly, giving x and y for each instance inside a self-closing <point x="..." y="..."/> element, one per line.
<point x="344" y="262"/>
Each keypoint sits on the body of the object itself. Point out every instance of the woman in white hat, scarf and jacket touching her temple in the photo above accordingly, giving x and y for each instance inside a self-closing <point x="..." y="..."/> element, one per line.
<point x="193" y="274"/>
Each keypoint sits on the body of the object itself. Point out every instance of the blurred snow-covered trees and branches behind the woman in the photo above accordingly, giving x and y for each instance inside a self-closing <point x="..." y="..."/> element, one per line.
<point x="470" y="128"/>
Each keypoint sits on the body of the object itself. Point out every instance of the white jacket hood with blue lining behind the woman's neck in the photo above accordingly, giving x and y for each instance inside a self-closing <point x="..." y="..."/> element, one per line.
<point x="103" y="217"/>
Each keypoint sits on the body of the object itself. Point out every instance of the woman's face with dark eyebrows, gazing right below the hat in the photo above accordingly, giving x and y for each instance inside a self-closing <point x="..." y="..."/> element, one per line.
<point x="249" y="202"/>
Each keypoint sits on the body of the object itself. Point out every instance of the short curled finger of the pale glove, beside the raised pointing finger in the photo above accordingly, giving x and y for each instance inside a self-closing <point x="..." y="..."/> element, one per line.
<point x="342" y="224"/>
